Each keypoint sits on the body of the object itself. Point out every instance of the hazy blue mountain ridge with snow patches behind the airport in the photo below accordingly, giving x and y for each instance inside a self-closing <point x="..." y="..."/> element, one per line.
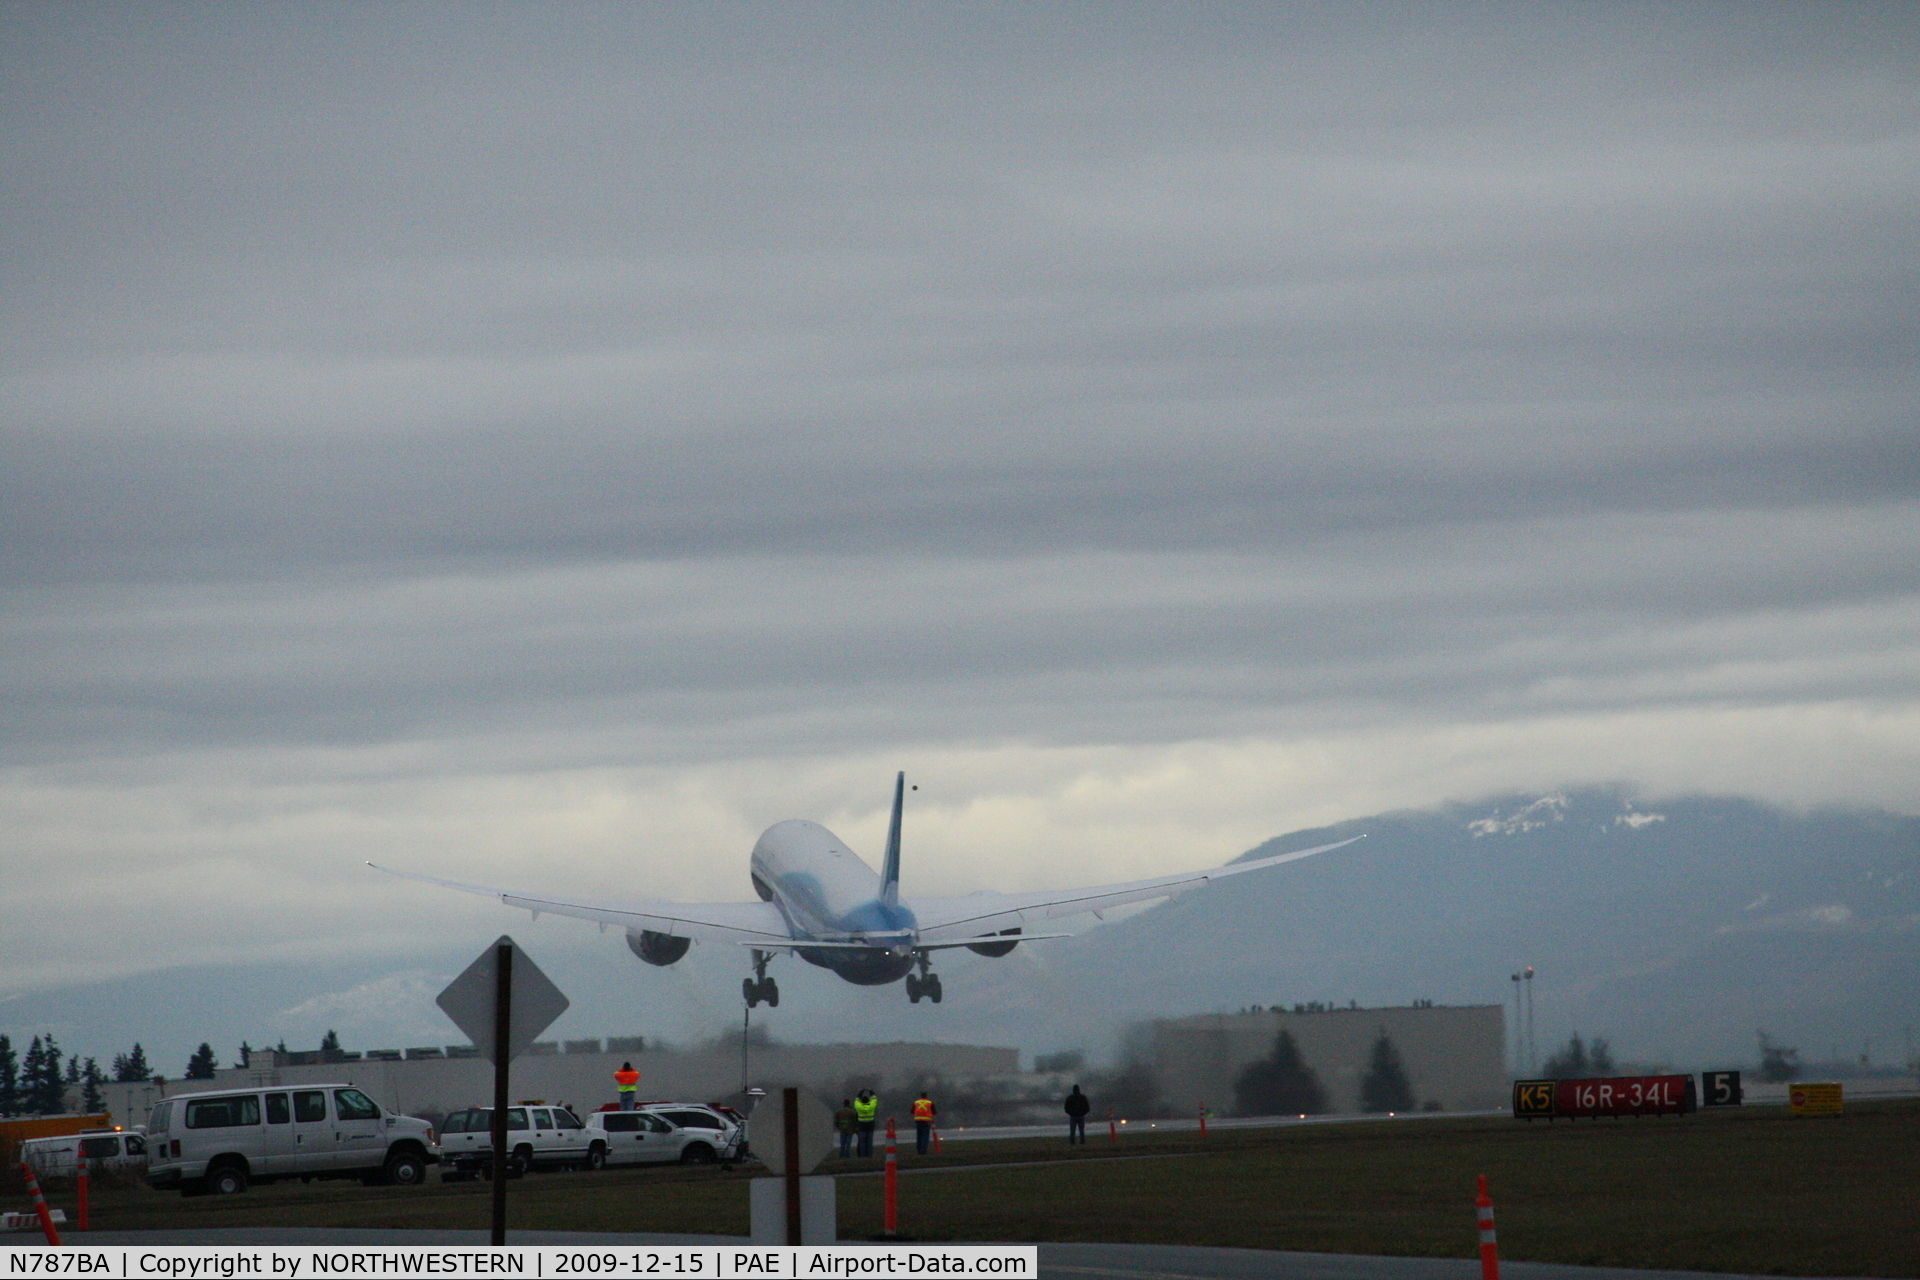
<point x="1677" y="928"/>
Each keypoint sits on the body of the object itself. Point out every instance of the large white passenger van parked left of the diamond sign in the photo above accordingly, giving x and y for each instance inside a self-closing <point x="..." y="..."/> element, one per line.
<point x="224" y="1141"/>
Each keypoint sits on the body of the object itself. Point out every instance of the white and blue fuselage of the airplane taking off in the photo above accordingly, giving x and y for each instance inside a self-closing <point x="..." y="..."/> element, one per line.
<point x="830" y="895"/>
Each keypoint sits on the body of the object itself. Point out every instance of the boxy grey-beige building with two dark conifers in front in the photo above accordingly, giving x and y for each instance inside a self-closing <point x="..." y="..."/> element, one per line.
<point x="1454" y="1056"/>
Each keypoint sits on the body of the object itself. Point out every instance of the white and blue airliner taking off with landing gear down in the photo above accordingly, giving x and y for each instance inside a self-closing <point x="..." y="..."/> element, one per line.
<point x="825" y="905"/>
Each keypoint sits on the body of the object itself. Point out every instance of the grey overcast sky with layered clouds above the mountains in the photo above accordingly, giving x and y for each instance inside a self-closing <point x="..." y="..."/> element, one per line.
<point x="548" y="444"/>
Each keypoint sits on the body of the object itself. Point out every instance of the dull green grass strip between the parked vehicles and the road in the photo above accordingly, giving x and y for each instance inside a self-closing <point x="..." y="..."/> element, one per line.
<point x="1750" y="1191"/>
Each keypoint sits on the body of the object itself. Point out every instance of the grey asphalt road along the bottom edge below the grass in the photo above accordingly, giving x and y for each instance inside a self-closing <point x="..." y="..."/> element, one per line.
<point x="1118" y="1262"/>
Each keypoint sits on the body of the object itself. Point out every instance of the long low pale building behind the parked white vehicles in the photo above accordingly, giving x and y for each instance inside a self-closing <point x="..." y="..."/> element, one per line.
<point x="441" y="1079"/>
